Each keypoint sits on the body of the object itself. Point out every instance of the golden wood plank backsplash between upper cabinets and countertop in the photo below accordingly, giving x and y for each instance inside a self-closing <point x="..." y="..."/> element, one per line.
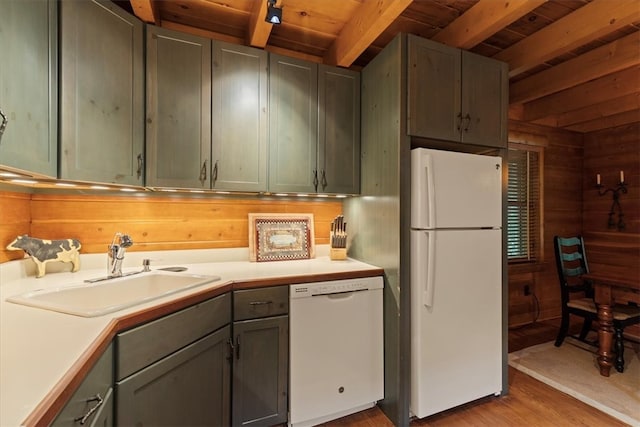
<point x="154" y="223"/>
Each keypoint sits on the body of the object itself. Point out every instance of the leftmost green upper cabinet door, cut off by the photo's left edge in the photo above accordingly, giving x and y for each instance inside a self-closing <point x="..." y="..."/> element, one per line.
<point x="28" y="85"/>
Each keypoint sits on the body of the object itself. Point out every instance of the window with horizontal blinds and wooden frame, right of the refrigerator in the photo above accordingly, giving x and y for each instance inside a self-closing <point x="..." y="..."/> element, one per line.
<point x="523" y="205"/>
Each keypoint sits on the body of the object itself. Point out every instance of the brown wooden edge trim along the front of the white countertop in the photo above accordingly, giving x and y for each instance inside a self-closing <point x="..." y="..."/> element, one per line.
<point x="47" y="410"/>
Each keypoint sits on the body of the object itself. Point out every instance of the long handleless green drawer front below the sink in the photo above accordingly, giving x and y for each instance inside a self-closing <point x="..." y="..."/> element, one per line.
<point x="145" y="344"/>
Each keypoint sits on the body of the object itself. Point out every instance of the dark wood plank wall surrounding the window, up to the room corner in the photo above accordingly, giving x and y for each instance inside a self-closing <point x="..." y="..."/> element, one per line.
<point x="562" y="214"/>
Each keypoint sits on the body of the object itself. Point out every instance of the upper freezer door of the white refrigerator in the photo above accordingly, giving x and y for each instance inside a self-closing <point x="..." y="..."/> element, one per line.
<point x="455" y="190"/>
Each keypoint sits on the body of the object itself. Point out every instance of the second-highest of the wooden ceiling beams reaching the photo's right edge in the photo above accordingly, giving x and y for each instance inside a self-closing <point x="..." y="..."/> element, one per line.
<point x="615" y="56"/>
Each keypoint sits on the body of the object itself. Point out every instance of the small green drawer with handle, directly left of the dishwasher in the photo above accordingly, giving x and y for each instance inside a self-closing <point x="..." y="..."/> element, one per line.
<point x="261" y="302"/>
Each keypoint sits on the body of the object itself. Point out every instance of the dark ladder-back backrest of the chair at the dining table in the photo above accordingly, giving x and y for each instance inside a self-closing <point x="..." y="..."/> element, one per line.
<point x="571" y="262"/>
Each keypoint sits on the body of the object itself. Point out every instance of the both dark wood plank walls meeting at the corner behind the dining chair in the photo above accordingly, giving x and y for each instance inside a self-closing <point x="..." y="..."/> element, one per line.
<point x="572" y="207"/>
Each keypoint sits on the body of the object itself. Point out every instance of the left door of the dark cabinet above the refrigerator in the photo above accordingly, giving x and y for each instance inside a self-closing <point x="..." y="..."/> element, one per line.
<point x="433" y="90"/>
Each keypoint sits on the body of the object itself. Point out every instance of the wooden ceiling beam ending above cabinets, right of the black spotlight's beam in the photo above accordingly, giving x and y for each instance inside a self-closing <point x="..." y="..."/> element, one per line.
<point x="371" y="19"/>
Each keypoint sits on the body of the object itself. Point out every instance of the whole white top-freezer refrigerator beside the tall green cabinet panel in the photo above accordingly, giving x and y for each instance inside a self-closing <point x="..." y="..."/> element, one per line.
<point x="456" y="279"/>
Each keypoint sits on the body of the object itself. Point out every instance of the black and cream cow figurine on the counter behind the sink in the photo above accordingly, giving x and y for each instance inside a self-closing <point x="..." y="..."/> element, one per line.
<point x="42" y="251"/>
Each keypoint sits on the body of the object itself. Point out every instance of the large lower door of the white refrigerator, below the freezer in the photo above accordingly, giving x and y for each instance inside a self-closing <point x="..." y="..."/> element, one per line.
<point x="456" y="342"/>
